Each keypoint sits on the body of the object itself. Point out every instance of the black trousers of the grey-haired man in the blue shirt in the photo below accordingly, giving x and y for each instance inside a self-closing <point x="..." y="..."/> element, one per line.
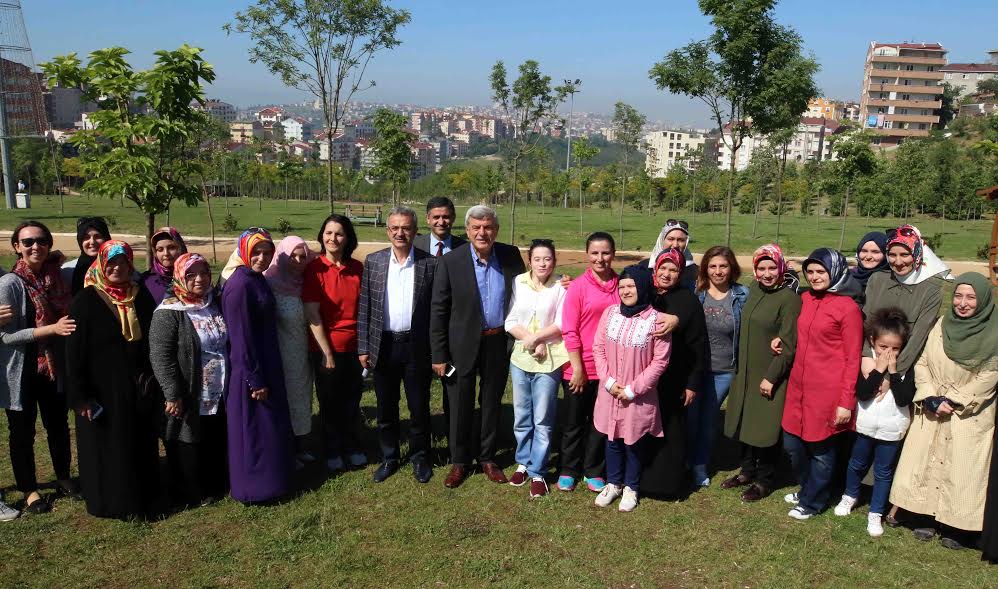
<point x="489" y="373"/>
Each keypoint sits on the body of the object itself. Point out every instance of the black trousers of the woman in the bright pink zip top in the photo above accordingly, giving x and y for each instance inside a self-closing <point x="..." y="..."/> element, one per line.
<point x="582" y="447"/>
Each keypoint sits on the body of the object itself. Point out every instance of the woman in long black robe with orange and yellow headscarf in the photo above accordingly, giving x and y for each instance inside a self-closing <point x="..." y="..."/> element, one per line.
<point x="112" y="389"/>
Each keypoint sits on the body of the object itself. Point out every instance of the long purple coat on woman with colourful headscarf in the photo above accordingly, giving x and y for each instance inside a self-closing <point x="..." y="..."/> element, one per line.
<point x="261" y="443"/>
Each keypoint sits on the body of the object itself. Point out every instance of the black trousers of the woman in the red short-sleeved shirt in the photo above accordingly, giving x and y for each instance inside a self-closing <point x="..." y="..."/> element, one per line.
<point x="339" y="391"/>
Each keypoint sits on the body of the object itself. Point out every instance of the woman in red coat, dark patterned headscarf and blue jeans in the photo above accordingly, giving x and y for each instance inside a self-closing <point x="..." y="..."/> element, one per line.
<point x="821" y="393"/>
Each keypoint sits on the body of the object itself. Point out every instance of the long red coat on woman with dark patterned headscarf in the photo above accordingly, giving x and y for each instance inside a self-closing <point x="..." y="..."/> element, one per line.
<point x="826" y="366"/>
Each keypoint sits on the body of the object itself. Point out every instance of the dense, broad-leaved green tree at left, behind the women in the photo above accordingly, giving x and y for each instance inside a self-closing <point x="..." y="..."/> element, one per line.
<point x="143" y="125"/>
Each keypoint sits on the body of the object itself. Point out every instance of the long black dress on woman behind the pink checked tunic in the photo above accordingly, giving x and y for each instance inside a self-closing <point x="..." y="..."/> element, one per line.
<point x="665" y="467"/>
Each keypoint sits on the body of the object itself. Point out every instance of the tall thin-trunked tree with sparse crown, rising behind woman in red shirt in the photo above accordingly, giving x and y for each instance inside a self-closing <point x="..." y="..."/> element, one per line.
<point x="322" y="47"/>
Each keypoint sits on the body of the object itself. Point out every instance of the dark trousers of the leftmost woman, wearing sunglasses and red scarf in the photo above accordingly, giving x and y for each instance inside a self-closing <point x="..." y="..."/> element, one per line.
<point x="38" y="395"/>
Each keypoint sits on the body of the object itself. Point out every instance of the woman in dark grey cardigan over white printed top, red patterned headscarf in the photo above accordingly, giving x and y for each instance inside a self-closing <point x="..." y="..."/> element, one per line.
<point x="188" y="349"/>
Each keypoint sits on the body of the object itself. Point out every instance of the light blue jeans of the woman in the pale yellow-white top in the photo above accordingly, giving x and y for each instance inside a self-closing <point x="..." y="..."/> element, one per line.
<point x="535" y="396"/>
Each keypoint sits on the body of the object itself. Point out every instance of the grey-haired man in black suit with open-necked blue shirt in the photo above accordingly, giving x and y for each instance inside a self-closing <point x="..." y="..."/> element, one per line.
<point x="472" y="289"/>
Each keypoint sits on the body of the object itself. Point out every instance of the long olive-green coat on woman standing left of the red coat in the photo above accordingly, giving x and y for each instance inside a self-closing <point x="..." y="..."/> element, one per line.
<point x="750" y="417"/>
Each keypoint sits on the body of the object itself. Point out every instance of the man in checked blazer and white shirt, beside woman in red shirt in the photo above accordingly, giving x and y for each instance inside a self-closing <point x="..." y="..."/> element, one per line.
<point x="393" y="325"/>
